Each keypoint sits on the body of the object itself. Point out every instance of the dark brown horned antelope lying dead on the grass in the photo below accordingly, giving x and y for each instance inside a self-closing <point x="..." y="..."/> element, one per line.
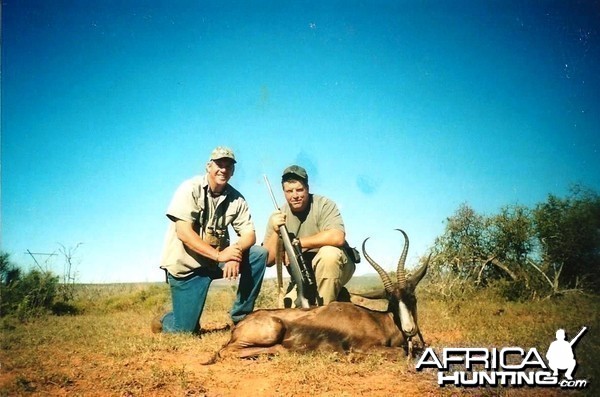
<point x="339" y="326"/>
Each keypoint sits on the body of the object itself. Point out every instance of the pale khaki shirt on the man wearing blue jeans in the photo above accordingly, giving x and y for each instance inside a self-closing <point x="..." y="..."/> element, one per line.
<point x="188" y="204"/>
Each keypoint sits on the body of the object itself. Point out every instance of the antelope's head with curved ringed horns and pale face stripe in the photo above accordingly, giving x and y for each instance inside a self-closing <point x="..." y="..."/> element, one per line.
<point x="401" y="292"/>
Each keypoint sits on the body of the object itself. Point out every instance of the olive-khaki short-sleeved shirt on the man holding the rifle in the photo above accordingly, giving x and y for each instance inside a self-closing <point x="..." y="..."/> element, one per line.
<point x="323" y="214"/>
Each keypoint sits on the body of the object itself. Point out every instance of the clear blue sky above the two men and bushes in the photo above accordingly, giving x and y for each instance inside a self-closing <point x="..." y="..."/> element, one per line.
<point x="399" y="110"/>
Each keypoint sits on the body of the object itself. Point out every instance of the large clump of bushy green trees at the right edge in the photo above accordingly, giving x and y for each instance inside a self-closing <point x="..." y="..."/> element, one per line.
<point x="549" y="250"/>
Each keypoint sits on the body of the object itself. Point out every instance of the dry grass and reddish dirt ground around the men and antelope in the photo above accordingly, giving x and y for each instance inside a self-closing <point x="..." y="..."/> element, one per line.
<point x="109" y="350"/>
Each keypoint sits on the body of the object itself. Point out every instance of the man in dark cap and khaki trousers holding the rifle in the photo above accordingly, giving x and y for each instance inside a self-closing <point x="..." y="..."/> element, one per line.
<point x="317" y="223"/>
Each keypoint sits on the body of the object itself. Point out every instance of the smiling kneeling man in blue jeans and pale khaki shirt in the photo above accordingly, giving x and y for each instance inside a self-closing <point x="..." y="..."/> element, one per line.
<point x="197" y="248"/>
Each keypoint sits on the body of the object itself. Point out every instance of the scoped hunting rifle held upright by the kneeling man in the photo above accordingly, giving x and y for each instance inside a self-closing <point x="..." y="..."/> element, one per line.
<point x="301" y="273"/>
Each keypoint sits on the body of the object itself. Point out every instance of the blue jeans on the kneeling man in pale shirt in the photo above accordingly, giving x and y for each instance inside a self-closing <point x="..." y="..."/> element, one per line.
<point x="189" y="293"/>
